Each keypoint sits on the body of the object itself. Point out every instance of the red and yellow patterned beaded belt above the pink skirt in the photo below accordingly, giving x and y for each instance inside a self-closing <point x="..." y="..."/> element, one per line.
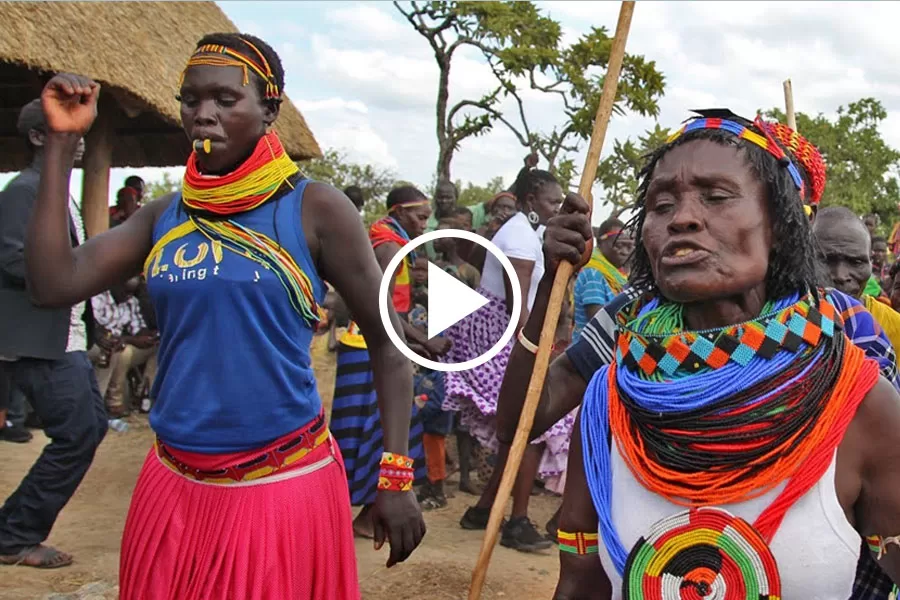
<point x="272" y="461"/>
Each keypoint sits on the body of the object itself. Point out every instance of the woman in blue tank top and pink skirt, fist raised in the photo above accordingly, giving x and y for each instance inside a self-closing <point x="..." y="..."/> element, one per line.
<point x="243" y="493"/>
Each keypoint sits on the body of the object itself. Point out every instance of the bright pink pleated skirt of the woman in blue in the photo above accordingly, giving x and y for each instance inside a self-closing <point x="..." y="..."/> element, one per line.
<point x="286" y="536"/>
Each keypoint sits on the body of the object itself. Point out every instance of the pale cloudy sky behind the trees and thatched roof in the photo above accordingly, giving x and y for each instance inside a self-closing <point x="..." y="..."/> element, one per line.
<point x="366" y="82"/>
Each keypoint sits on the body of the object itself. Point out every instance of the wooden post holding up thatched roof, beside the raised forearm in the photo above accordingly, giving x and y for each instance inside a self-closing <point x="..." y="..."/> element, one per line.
<point x="96" y="164"/>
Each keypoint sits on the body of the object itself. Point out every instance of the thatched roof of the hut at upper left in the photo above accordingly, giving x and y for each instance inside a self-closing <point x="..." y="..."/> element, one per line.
<point x="136" y="51"/>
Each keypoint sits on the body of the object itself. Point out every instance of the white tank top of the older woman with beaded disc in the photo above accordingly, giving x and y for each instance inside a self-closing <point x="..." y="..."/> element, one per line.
<point x="816" y="549"/>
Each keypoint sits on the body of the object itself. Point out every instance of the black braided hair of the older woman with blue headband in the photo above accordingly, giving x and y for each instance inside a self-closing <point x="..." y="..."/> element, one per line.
<point x="793" y="264"/>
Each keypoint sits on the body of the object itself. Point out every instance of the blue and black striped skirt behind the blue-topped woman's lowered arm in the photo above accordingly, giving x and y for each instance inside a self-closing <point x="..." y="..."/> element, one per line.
<point x="356" y="425"/>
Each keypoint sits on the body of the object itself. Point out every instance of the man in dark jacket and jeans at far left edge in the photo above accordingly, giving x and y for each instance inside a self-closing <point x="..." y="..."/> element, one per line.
<point x="43" y="353"/>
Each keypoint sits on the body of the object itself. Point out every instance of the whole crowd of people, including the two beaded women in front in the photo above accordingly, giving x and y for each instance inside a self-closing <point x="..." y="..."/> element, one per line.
<point x="719" y="420"/>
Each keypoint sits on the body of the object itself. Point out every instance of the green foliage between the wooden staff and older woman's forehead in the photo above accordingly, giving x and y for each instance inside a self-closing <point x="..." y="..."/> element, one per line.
<point x="618" y="172"/>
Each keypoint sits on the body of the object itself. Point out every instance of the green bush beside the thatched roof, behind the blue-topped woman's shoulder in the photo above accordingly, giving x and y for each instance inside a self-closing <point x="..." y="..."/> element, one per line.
<point x="334" y="168"/>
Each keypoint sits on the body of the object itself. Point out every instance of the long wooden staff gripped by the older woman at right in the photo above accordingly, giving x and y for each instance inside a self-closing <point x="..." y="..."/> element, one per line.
<point x="557" y="295"/>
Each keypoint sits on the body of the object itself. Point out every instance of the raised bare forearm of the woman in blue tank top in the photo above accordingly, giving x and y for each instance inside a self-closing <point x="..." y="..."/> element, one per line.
<point x="49" y="260"/>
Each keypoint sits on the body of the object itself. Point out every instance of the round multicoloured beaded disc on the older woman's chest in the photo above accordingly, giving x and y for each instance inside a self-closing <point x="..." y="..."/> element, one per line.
<point x="701" y="554"/>
